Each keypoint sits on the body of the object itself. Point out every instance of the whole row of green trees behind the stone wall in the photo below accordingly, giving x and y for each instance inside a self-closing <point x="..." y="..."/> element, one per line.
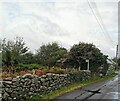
<point x="16" y="52"/>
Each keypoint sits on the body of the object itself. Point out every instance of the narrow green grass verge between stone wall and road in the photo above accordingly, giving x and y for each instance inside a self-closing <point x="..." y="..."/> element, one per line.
<point x="69" y="88"/>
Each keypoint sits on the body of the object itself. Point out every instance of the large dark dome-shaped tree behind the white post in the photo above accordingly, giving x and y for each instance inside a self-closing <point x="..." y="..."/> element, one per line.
<point x="79" y="53"/>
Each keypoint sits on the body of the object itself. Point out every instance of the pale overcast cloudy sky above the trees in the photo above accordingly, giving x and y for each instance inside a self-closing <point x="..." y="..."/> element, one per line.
<point x="67" y="23"/>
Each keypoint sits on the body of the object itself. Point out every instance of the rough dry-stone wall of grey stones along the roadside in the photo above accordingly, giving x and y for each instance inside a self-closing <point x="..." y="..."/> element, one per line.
<point x="21" y="88"/>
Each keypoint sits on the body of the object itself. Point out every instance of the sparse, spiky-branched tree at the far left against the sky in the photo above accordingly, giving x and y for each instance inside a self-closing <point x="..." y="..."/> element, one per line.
<point x="12" y="51"/>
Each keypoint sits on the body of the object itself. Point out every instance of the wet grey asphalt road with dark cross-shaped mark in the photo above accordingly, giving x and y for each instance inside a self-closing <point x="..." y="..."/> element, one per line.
<point x="108" y="89"/>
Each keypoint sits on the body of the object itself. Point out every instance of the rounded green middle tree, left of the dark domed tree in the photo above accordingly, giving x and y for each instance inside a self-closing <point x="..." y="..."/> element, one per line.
<point x="49" y="54"/>
